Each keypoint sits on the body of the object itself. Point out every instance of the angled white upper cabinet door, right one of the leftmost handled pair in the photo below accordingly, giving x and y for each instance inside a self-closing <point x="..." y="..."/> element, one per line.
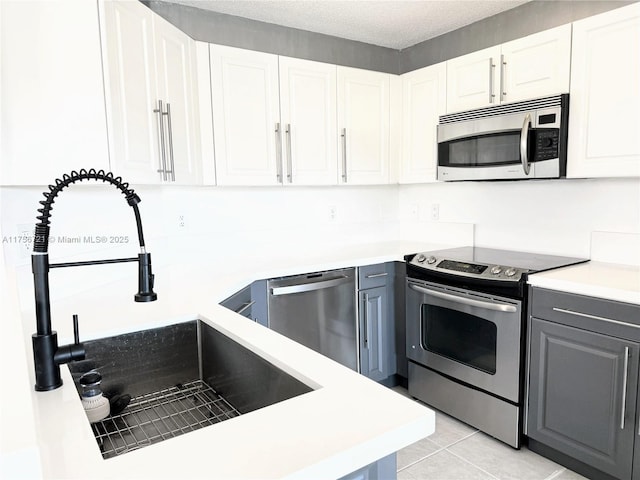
<point x="176" y="80"/>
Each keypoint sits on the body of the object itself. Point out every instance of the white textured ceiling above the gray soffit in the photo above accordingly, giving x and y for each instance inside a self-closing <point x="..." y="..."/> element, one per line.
<point x="396" y="24"/>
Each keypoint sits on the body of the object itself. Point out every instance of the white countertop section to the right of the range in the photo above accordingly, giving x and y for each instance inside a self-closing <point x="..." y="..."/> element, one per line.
<point x="596" y="279"/>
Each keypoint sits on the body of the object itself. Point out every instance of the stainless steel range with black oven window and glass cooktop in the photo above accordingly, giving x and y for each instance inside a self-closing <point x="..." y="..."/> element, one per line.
<point x="466" y="325"/>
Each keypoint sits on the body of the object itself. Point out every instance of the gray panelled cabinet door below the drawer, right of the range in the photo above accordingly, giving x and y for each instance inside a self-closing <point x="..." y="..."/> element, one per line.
<point x="582" y="397"/>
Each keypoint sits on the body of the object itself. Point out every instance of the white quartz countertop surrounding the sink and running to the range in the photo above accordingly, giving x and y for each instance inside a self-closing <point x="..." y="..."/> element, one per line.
<point x="346" y="423"/>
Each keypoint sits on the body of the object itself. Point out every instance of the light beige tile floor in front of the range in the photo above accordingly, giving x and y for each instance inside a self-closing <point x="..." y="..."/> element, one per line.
<point x="457" y="451"/>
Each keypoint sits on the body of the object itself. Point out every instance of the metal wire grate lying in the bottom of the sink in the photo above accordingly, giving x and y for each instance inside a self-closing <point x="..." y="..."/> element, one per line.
<point x="156" y="416"/>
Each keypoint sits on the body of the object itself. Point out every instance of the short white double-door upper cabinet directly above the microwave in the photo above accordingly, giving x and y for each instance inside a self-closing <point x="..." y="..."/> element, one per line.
<point x="530" y="67"/>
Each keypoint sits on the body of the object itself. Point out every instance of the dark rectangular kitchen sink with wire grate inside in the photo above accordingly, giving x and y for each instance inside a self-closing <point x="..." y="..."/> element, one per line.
<point x="180" y="378"/>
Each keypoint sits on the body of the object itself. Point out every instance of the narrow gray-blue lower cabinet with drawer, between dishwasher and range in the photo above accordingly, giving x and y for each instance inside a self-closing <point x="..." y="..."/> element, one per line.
<point x="375" y="318"/>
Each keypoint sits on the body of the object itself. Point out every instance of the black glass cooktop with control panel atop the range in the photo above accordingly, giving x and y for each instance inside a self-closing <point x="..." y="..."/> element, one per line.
<point x="489" y="263"/>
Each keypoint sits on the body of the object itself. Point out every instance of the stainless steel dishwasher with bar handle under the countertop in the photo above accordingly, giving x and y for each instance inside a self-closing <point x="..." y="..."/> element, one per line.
<point x="318" y="310"/>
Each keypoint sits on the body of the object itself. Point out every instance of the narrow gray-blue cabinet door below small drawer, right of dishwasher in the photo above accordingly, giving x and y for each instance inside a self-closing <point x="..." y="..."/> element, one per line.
<point x="374" y="333"/>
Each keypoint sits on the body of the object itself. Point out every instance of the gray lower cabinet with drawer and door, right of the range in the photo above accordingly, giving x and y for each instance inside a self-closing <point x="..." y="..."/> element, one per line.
<point x="583" y="383"/>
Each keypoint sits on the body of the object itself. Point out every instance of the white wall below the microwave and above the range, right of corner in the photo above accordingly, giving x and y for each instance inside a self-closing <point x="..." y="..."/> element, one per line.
<point x="543" y="216"/>
